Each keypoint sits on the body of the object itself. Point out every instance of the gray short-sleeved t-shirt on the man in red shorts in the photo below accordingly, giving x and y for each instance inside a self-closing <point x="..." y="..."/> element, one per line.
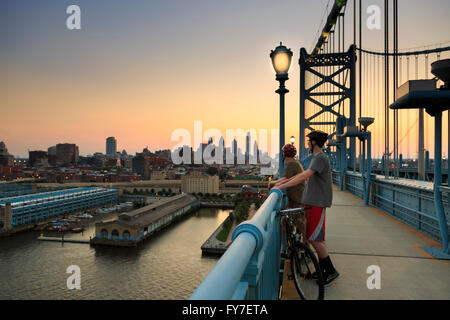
<point x="319" y="191"/>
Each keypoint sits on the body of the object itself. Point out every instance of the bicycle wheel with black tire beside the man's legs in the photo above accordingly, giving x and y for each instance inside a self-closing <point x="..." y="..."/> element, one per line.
<point x="303" y="265"/>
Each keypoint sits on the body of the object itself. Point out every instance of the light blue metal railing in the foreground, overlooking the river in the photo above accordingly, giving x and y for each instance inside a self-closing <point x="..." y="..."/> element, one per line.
<point x="250" y="267"/>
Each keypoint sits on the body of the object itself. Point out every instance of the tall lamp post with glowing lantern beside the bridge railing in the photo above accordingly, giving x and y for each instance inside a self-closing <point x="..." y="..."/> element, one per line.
<point x="281" y="61"/>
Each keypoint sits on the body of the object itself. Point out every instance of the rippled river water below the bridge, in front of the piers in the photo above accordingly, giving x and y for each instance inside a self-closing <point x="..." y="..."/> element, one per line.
<point x="168" y="266"/>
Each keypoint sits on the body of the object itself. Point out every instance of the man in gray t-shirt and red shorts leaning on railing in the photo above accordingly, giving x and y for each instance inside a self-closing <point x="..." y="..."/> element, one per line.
<point x="318" y="195"/>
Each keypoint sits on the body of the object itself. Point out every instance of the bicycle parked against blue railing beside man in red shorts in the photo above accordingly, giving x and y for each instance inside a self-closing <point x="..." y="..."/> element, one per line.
<point x="305" y="268"/>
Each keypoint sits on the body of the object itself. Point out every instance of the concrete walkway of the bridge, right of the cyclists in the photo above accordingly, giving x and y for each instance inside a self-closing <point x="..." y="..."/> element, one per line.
<point x="358" y="237"/>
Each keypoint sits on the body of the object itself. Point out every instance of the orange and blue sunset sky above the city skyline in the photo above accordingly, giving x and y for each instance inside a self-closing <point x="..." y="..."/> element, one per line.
<point x="139" y="69"/>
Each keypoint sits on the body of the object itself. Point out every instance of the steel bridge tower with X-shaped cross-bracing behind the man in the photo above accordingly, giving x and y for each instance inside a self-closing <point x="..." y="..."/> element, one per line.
<point x="327" y="82"/>
